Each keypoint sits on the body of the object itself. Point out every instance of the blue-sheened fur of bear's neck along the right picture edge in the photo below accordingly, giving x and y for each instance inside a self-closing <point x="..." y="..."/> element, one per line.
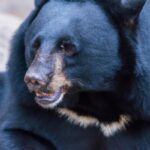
<point x="140" y="92"/>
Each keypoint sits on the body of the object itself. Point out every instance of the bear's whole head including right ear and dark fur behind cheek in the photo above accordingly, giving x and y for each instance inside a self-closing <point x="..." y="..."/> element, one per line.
<point x="75" y="47"/>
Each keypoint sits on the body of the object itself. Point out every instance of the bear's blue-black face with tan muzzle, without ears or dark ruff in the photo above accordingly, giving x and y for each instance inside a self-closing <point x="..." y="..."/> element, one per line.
<point x="69" y="46"/>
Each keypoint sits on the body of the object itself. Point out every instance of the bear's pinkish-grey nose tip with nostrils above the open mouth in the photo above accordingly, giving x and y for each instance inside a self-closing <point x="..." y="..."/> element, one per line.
<point x="34" y="82"/>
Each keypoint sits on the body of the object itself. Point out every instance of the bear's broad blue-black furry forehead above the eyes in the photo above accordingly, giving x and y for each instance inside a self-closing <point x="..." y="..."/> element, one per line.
<point x="57" y="15"/>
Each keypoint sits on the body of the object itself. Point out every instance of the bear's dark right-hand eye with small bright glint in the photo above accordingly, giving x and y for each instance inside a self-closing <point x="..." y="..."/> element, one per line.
<point x="68" y="48"/>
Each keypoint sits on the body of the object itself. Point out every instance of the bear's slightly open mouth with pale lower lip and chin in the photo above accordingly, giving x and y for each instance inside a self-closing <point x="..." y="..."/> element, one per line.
<point x="49" y="99"/>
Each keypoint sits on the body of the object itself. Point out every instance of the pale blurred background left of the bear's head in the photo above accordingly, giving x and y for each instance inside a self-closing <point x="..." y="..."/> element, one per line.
<point x="12" y="13"/>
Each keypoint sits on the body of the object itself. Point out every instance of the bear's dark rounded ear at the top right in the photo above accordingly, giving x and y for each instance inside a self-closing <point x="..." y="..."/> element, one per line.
<point x="126" y="11"/>
